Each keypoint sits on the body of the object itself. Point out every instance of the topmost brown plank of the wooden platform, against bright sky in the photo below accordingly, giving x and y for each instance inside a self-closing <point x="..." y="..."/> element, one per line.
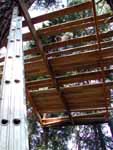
<point x="60" y="13"/>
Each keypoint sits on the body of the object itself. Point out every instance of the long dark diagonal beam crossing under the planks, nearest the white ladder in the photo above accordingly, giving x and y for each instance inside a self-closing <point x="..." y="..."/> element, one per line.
<point x="40" y="47"/>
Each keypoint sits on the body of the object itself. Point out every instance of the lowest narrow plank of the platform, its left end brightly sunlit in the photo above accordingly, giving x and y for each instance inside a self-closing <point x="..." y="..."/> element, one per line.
<point x="82" y="119"/>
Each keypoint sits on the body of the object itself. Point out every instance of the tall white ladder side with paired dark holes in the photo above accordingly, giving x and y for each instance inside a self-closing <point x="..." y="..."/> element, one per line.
<point x="13" y="124"/>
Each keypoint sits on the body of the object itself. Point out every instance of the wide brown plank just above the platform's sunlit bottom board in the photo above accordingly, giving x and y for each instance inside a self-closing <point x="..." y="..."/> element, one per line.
<point x="81" y="97"/>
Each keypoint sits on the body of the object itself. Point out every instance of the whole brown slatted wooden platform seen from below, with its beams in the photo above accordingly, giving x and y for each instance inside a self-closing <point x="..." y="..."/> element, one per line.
<point x="74" y="79"/>
